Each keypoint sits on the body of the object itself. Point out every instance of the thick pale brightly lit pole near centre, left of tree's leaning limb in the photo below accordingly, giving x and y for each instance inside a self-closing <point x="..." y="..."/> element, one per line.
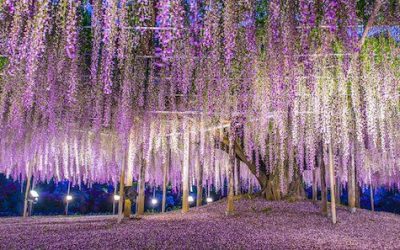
<point x="185" y="172"/>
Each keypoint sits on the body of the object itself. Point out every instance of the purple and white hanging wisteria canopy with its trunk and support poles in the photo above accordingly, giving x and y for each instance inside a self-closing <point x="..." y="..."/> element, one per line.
<point x="108" y="90"/>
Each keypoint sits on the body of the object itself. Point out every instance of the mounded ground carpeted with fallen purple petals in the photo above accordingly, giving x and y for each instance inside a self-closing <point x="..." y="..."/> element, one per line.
<point x="257" y="224"/>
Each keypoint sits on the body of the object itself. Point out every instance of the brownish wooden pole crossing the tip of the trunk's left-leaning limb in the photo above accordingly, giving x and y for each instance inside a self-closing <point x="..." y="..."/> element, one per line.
<point x="231" y="193"/>
